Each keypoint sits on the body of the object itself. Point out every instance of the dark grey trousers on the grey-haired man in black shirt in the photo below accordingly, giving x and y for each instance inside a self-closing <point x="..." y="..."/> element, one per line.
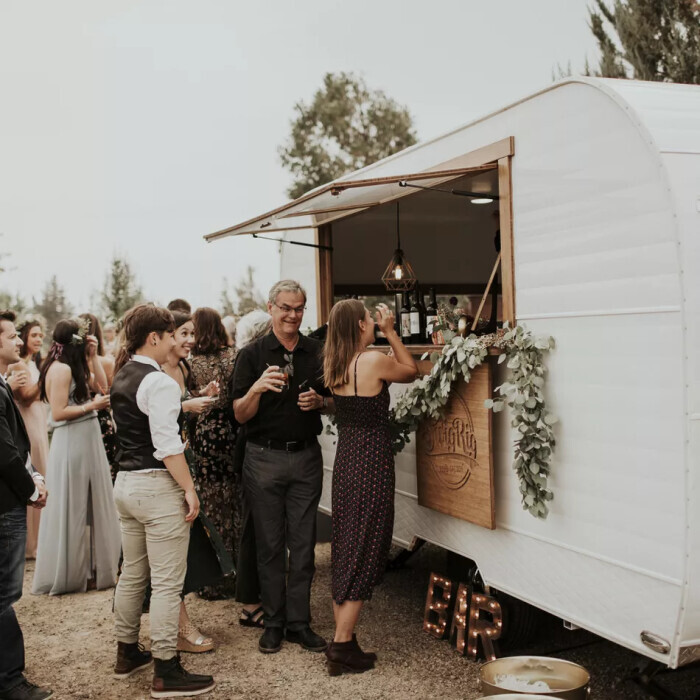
<point x="283" y="489"/>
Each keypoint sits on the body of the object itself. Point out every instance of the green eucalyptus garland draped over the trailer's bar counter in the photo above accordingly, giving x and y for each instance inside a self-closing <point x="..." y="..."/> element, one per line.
<point x="523" y="394"/>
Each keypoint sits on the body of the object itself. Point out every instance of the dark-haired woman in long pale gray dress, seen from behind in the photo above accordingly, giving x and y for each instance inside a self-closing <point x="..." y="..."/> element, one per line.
<point x="79" y="539"/>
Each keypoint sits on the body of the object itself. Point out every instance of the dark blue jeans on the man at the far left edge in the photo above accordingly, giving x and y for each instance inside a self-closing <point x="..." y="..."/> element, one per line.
<point x="13" y="541"/>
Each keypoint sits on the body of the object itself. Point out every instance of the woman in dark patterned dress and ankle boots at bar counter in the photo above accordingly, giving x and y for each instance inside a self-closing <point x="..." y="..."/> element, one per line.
<point x="363" y="474"/>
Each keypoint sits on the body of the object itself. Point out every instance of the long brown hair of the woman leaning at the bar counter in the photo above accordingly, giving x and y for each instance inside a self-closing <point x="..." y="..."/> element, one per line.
<point x="344" y="339"/>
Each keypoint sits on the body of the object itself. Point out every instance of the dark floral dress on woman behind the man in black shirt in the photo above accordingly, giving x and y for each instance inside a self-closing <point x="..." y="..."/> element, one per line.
<point x="213" y="443"/>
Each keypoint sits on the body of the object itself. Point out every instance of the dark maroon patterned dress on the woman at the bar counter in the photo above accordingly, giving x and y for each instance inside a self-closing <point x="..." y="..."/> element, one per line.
<point x="362" y="495"/>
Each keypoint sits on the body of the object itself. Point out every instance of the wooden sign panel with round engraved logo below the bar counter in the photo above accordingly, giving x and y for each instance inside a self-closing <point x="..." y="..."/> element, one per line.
<point x="455" y="462"/>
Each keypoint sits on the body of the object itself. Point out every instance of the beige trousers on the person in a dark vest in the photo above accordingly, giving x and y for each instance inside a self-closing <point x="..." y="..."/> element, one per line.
<point x="155" y="538"/>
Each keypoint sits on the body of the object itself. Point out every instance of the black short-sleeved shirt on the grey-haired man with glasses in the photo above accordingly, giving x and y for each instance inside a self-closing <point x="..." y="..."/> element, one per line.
<point x="279" y="417"/>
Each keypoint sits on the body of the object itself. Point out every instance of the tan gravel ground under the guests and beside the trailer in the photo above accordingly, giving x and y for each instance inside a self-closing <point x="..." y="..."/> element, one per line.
<point x="71" y="648"/>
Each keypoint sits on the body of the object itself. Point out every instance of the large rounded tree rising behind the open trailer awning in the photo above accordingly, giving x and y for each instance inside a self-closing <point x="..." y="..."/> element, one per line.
<point x="345" y="127"/>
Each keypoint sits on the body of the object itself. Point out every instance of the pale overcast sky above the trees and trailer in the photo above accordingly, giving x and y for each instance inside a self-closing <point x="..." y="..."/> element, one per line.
<point x="133" y="128"/>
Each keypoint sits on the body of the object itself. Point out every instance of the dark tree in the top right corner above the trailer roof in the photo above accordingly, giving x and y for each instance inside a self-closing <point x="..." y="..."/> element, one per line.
<point x="655" y="39"/>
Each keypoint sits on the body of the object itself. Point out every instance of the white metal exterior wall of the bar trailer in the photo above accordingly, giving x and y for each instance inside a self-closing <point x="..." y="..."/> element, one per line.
<point x="597" y="266"/>
